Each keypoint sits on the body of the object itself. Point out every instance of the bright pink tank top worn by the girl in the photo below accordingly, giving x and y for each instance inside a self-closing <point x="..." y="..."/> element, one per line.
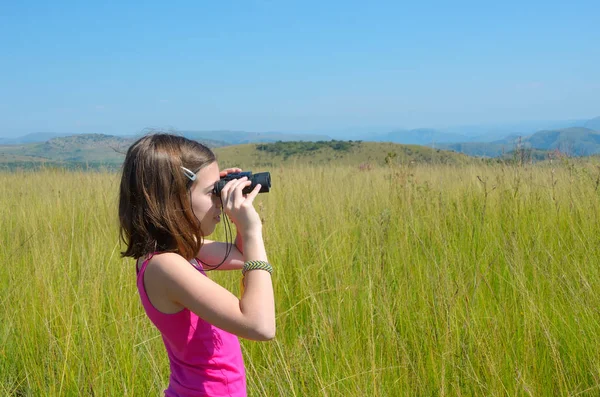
<point x="204" y="359"/>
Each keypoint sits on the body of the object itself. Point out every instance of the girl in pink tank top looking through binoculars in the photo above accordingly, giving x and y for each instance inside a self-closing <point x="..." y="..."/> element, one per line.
<point x="166" y="208"/>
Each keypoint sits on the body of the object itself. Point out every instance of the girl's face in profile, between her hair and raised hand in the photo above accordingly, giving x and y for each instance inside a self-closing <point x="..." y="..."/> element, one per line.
<point x="206" y="206"/>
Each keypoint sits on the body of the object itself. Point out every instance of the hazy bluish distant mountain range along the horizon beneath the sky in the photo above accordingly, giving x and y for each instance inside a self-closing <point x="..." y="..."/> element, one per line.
<point x="582" y="140"/>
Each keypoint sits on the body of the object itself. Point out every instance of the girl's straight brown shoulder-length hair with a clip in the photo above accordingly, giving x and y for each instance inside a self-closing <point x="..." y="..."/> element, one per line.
<point x="155" y="211"/>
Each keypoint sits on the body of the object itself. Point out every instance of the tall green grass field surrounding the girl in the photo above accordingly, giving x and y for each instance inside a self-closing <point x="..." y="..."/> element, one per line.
<point x="421" y="280"/>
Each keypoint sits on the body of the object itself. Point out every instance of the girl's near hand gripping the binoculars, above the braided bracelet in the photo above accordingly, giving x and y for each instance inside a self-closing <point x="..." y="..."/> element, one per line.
<point x="239" y="207"/>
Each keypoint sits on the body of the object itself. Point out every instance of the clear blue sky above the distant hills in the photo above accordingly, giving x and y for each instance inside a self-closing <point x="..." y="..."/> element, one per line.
<point x="294" y="66"/>
